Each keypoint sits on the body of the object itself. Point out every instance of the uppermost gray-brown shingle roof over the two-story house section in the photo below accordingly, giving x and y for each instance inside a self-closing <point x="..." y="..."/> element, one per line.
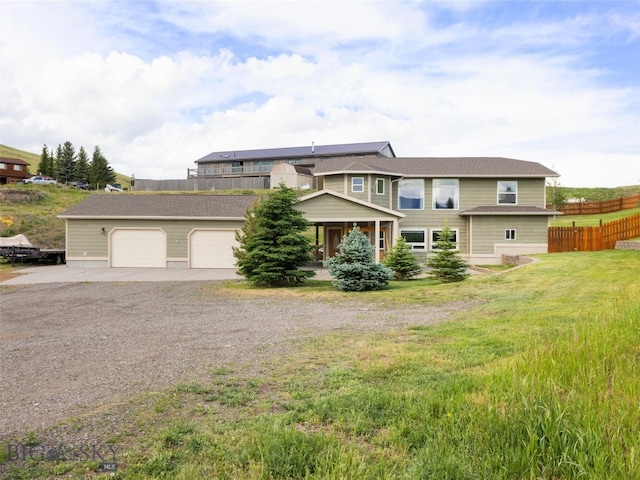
<point x="436" y="167"/>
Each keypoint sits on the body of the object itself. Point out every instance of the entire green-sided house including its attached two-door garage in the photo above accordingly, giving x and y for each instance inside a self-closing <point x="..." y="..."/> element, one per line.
<point x="495" y="207"/>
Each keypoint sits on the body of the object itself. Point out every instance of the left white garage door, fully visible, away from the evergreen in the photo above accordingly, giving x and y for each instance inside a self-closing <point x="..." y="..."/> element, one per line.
<point x="138" y="248"/>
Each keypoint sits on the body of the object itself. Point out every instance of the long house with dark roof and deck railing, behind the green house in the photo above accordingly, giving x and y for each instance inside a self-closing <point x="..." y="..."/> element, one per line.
<point x="259" y="163"/>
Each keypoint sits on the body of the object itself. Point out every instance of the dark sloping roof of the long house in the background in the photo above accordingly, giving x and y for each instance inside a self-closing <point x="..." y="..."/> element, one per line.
<point x="309" y="151"/>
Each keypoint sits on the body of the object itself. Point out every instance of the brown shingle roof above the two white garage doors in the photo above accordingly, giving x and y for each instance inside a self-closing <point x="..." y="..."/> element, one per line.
<point x="120" y="205"/>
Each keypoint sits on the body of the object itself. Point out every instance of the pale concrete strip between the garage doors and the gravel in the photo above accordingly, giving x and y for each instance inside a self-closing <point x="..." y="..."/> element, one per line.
<point x="63" y="274"/>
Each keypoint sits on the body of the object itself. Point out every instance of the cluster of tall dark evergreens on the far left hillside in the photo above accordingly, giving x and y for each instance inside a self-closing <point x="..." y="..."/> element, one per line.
<point x="66" y="165"/>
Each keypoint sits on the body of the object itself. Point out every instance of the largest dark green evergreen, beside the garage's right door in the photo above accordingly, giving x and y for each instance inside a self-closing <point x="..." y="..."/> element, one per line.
<point x="272" y="245"/>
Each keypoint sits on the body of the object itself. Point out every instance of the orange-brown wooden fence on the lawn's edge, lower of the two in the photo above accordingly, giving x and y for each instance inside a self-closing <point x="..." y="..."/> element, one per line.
<point x="591" y="239"/>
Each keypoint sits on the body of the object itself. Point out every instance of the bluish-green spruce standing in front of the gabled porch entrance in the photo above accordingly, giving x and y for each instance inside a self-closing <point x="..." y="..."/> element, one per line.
<point x="354" y="265"/>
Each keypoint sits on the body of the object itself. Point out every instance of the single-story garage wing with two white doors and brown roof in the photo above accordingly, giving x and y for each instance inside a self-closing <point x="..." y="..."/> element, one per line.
<point x="164" y="231"/>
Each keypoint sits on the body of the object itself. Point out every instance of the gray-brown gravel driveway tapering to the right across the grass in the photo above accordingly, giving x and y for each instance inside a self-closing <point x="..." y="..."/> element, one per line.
<point x="68" y="348"/>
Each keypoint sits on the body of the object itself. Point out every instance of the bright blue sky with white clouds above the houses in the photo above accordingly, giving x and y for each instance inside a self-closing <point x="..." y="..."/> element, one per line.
<point x="158" y="85"/>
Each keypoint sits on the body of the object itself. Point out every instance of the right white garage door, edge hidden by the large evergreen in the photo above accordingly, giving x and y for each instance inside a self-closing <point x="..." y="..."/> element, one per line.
<point x="212" y="249"/>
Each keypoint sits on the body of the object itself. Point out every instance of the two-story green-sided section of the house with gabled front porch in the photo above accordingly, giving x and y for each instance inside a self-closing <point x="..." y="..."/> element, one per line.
<point x="494" y="206"/>
